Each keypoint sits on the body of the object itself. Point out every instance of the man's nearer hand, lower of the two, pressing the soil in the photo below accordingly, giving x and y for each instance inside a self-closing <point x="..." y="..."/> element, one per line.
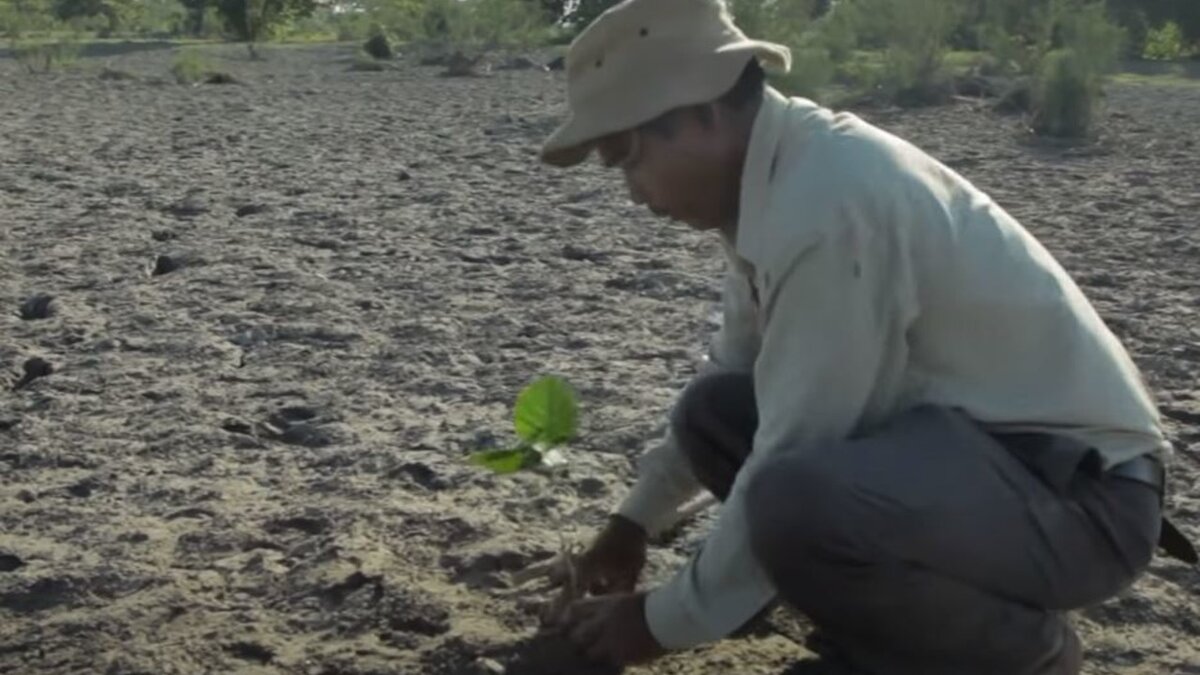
<point x="611" y="630"/>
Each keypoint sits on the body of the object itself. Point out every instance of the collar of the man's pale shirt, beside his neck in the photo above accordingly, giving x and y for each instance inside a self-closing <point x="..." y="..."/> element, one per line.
<point x="758" y="172"/>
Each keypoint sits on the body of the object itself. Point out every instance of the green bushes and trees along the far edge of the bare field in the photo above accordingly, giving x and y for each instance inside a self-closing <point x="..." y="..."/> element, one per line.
<point x="1046" y="58"/>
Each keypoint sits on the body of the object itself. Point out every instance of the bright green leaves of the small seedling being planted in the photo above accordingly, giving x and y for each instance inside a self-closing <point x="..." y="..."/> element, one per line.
<point x="545" y="416"/>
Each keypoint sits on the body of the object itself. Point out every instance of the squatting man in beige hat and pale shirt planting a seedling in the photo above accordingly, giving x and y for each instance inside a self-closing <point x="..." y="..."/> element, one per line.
<point x="923" y="435"/>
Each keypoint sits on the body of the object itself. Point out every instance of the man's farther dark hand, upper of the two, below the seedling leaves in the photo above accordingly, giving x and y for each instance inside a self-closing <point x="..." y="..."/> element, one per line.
<point x="614" y="563"/>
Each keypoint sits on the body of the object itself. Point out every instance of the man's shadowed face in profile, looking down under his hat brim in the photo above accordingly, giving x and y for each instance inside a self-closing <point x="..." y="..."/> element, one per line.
<point x="685" y="175"/>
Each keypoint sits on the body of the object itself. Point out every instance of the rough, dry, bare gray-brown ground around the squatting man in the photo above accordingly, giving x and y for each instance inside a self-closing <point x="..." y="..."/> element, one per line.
<point x="253" y="462"/>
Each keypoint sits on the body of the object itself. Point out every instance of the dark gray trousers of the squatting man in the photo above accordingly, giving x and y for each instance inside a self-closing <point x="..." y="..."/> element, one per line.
<point x="927" y="547"/>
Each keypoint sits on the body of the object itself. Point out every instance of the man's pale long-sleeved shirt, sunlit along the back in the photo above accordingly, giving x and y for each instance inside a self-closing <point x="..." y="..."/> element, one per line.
<point x="867" y="278"/>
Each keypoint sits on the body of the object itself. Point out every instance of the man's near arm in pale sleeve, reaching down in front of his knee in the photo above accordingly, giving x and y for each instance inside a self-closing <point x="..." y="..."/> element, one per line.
<point x="829" y="319"/>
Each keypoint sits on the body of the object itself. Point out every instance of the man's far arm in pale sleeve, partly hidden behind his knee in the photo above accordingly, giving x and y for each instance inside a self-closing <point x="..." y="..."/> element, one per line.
<point x="665" y="480"/>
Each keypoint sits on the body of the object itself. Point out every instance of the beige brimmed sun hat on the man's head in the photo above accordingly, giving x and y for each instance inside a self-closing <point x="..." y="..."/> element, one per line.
<point x="644" y="58"/>
